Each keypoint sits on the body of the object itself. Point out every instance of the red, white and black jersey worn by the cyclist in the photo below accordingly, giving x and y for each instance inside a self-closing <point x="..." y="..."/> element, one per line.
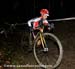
<point x="36" y="22"/>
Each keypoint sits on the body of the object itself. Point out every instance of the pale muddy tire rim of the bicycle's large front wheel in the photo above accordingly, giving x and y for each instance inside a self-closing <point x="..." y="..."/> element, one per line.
<point x="60" y="52"/>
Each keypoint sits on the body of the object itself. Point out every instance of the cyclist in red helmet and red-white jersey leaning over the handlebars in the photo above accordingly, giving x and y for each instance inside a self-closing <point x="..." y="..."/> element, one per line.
<point x="36" y="24"/>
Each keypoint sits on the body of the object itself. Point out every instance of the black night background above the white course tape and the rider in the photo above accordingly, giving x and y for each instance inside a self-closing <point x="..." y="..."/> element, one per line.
<point x="23" y="10"/>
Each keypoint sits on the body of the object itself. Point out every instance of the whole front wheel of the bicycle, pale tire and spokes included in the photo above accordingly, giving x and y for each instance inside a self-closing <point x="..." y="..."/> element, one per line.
<point x="51" y="58"/>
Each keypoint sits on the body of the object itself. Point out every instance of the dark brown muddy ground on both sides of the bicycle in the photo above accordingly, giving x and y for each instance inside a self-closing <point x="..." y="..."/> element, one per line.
<point x="13" y="52"/>
